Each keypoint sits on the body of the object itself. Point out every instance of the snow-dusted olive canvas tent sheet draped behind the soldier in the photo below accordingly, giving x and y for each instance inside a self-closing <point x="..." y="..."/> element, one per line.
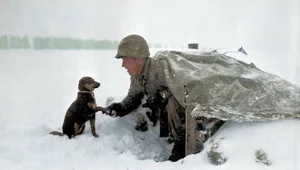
<point x="218" y="86"/>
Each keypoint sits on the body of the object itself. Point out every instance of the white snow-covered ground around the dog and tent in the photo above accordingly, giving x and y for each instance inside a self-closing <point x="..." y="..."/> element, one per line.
<point x="38" y="86"/>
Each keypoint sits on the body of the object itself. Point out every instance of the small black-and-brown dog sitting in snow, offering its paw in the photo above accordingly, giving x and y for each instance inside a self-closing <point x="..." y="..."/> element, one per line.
<point x="84" y="108"/>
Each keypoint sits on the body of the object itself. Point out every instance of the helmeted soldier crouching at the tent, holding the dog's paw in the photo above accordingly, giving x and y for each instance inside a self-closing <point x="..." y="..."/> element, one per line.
<point x="147" y="79"/>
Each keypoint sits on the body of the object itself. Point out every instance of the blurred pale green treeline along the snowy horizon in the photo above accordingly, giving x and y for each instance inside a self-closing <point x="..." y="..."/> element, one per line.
<point x="41" y="43"/>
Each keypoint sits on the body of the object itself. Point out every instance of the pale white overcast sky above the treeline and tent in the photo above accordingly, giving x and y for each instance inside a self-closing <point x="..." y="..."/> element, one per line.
<point x="270" y="24"/>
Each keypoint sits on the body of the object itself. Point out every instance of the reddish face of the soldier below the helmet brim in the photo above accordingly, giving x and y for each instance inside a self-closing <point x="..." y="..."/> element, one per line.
<point x="132" y="65"/>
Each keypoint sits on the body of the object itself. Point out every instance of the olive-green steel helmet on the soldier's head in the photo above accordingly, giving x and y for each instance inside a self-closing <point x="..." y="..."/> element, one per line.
<point x="133" y="46"/>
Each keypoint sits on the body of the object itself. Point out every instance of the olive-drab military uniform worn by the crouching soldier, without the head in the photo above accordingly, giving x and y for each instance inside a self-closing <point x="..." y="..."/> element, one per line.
<point x="151" y="83"/>
